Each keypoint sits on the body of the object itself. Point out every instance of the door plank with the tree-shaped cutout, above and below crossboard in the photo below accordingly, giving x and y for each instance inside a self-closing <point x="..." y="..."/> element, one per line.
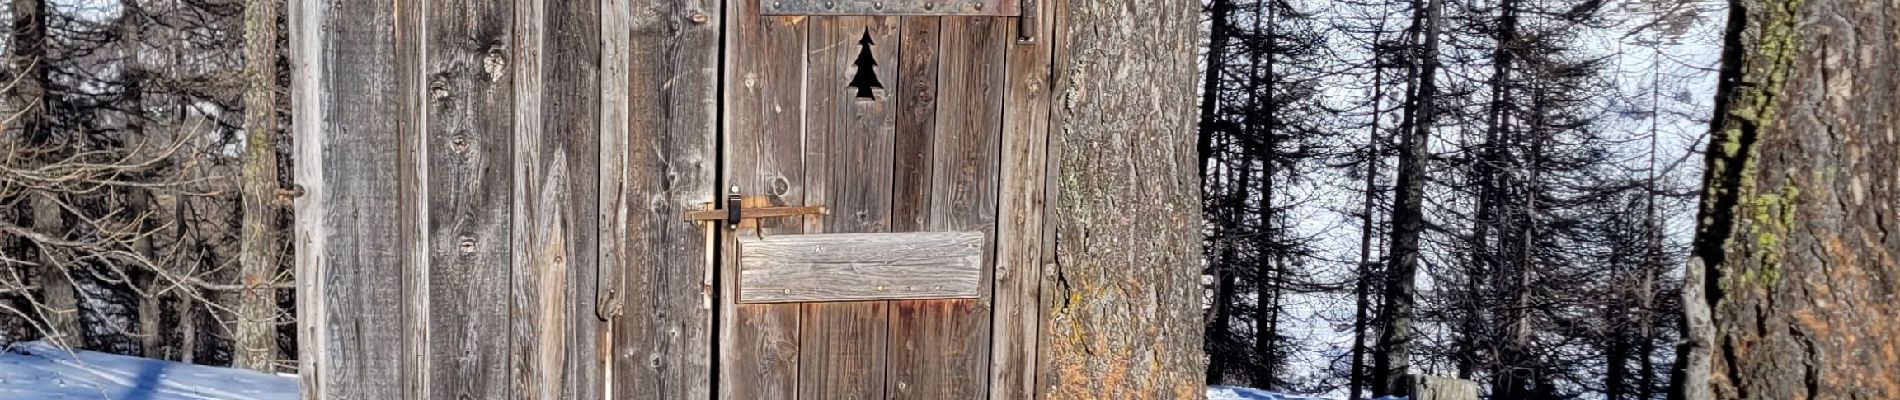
<point x="848" y="162"/>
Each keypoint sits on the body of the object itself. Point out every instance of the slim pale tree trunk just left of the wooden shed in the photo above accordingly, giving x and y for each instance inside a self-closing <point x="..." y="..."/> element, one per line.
<point x="257" y="308"/>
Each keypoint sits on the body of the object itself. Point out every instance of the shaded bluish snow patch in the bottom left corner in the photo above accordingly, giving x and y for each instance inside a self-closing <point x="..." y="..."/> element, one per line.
<point x="45" y="373"/>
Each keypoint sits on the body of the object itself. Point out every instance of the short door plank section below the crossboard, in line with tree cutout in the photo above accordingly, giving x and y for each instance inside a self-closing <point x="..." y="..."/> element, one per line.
<point x="843" y="352"/>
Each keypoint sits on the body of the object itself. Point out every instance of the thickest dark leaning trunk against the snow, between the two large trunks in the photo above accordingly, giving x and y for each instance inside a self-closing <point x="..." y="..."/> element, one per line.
<point x="1409" y="217"/>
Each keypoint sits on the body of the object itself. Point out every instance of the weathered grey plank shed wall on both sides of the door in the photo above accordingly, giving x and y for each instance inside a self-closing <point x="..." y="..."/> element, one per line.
<point x="493" y="196"/>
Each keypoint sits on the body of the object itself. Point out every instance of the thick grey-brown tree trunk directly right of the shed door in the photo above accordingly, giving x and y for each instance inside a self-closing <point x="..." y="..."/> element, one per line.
<point x="1126" y="299"/>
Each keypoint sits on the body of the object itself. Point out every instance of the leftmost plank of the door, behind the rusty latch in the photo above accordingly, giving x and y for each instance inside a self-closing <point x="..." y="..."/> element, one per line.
<point x="765" y="156"/>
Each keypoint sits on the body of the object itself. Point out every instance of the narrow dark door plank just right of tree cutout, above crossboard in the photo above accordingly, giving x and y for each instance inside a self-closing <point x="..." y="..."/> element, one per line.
<point x="917" y="122"/>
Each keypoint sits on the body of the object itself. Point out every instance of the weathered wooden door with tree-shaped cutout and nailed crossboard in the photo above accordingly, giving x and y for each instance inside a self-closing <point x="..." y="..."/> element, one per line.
<point x="894" y="126"/>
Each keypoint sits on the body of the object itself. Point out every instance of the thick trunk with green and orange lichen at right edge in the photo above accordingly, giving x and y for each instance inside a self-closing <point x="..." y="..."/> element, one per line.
<point x="1798" y="215"/>
